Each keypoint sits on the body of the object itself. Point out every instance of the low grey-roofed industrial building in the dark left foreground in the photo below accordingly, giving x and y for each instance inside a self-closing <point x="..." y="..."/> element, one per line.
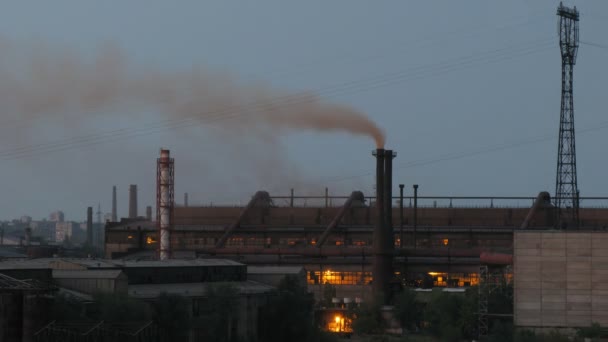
<point x="147" y="280"/>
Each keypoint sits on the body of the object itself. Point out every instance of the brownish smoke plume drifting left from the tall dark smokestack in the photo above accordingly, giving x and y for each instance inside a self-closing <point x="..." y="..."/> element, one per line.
<point x="40" y="82"/>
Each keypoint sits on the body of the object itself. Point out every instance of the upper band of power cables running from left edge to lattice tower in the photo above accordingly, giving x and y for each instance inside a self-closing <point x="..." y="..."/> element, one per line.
<point x="236" y="111"/>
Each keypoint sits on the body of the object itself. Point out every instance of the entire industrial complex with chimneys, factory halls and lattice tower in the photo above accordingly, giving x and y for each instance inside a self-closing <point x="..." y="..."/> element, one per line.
<point x="551" y="247"/>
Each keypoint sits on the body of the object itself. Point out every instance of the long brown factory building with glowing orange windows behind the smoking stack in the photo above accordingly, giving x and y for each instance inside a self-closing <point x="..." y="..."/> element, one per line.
<point x="443" y="247"/>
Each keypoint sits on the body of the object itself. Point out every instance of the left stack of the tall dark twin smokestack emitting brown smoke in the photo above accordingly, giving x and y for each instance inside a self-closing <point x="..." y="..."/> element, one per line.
<point x="379" y="265"/>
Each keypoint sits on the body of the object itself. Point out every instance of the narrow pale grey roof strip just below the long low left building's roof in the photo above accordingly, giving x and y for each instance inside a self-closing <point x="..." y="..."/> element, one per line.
<point x="145" y="291"/>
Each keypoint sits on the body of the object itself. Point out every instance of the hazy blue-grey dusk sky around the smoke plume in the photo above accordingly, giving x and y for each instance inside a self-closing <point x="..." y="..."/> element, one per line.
<point x="467" y="93"/>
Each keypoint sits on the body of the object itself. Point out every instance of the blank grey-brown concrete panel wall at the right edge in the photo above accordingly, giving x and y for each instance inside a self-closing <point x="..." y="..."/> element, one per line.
<point x="560" y="279"/>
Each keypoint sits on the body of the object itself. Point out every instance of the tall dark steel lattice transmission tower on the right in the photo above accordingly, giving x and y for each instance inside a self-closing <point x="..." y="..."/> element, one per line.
<point x="566" y="189"/>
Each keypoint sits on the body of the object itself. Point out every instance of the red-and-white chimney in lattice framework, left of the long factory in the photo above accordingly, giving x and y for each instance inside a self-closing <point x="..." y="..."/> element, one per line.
<point x="164" y="201"/>
